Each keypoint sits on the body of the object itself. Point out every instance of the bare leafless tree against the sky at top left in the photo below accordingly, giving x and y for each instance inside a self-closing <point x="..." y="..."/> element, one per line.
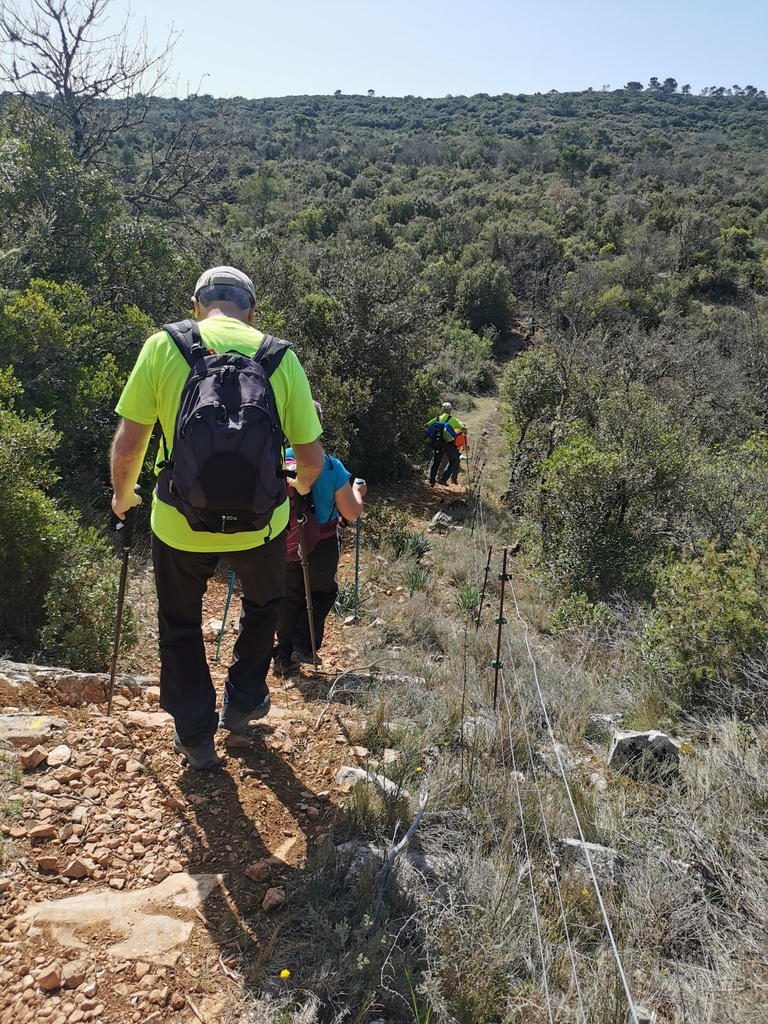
<point x="59" y="56"/>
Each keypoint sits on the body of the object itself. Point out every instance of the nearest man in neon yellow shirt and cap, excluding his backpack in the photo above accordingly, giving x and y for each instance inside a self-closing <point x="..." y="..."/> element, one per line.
<point x="185" y="560"/>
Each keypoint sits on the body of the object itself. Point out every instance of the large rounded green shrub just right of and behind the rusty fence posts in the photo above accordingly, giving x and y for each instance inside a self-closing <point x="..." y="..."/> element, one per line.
<point x="612" y="493"/>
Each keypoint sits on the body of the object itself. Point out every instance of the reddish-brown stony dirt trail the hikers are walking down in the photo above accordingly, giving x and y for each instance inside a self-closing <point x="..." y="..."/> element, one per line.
<point x="137" y="891"/>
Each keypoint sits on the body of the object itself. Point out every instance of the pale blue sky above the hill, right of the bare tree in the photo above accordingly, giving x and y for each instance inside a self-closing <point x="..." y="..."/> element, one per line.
<point x="432" y="49"/>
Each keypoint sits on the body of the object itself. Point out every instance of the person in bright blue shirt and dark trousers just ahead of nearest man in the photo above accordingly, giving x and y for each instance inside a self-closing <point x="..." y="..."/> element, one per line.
<point x="333" y="496"/>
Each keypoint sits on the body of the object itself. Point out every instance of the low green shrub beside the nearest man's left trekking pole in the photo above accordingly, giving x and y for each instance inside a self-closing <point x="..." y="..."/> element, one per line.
<point x="81" y="607"/>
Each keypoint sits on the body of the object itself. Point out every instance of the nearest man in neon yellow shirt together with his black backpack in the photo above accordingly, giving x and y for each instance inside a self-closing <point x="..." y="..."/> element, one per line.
<point x="232" y="504"/>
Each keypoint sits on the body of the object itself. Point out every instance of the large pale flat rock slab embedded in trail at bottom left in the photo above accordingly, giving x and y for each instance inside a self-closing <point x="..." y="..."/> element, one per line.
<point x="148" y="934"/>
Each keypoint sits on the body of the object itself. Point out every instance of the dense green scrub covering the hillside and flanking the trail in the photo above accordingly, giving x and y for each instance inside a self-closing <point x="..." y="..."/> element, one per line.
<point x="616" y="243"/>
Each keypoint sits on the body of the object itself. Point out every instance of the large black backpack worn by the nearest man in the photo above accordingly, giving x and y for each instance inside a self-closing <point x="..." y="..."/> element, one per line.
<point x="226" y="472"/>
